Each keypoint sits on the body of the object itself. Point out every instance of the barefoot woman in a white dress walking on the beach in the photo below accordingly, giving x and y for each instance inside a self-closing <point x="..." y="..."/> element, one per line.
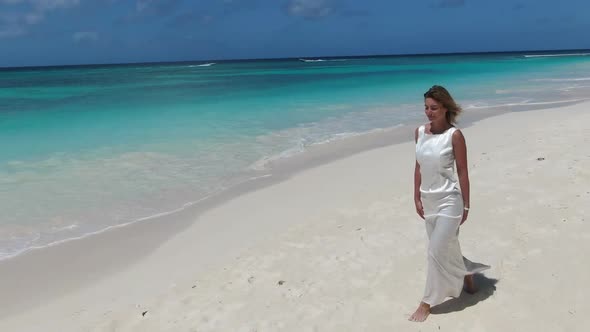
<point x="440" y="202"/>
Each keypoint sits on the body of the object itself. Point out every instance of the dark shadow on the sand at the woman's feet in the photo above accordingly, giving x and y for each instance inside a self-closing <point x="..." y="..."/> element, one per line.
<point x="486" y="287"/>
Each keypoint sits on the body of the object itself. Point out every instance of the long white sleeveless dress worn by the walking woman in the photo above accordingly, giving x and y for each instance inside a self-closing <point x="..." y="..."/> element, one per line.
<point x="443" y="210"/>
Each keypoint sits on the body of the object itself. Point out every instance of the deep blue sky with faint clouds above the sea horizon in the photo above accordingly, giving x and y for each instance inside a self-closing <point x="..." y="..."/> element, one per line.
<point x="62" y="32"/>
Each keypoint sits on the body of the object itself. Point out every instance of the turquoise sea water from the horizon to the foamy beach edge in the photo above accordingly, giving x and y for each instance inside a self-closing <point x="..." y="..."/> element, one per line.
<point x="87" y="148"/>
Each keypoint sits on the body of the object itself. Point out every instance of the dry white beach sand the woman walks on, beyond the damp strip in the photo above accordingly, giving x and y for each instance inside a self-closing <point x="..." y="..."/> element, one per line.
<point x="339" y="248"/>
